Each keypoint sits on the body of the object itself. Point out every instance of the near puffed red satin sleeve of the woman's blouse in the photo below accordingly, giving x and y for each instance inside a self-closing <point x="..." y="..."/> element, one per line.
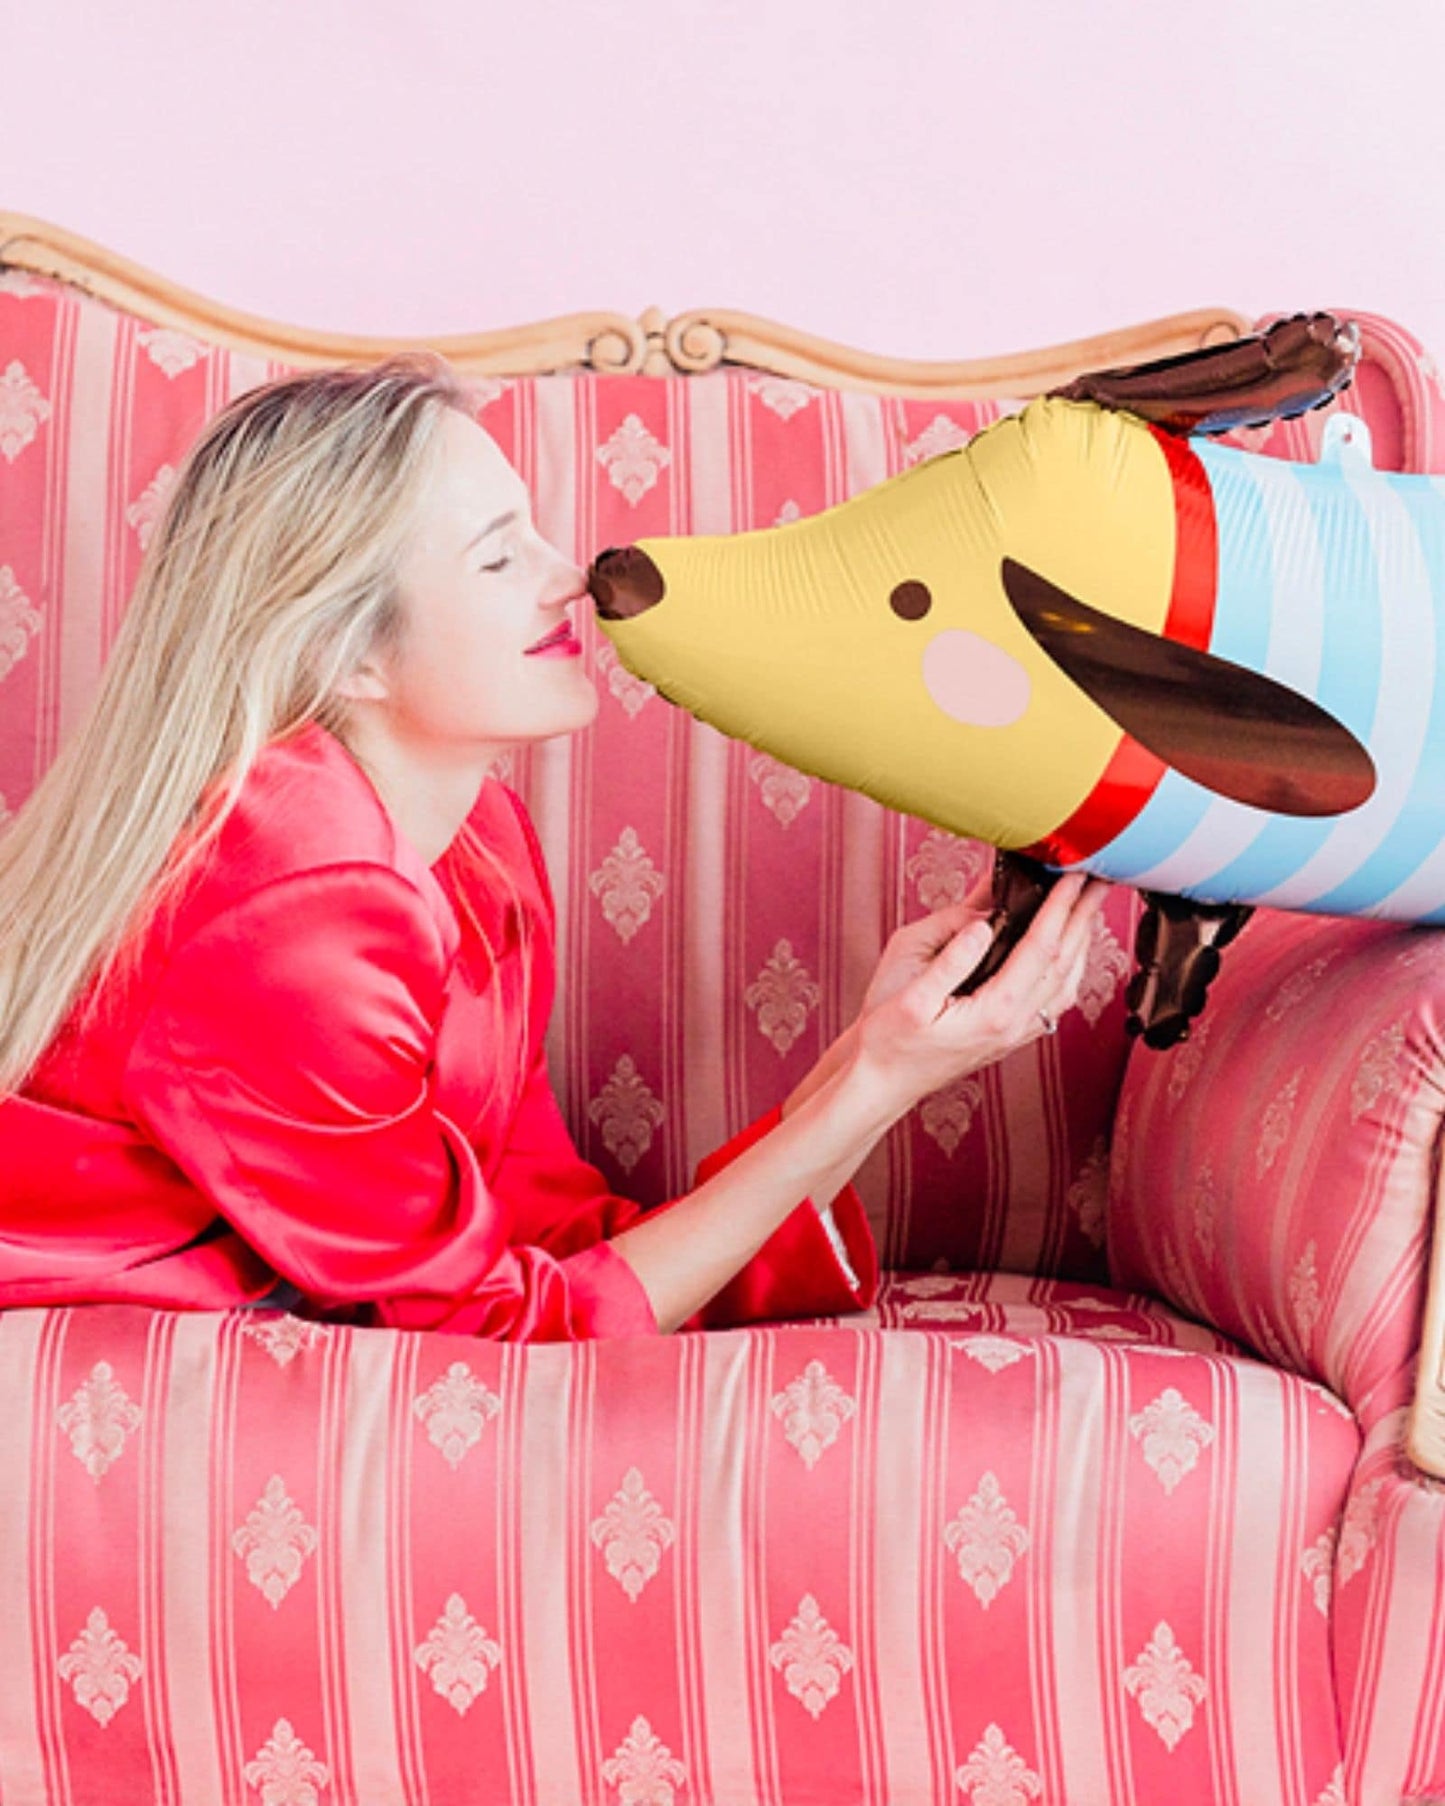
<point x="286" y="1066"/>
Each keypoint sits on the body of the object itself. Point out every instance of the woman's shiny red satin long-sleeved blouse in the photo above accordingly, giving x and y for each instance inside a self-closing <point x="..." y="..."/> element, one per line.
<point x="328" y="1070"/>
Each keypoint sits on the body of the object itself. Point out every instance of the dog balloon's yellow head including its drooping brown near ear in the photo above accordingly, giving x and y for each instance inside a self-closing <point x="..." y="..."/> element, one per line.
<point x="922" y="644"/>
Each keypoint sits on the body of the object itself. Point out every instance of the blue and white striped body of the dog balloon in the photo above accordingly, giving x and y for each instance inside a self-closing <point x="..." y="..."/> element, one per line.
<point x="1332" y="582"/>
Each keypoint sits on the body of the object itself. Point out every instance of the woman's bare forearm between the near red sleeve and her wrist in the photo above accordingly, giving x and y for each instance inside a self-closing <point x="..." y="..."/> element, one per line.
<point x="687" y="1254"/>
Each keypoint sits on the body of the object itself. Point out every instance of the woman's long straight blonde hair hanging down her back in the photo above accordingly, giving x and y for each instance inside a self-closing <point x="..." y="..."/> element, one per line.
<point x="268" y="581"/>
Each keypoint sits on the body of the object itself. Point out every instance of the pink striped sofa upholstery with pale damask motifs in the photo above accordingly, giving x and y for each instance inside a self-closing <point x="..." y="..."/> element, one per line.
<point x="1106" y="1503"/>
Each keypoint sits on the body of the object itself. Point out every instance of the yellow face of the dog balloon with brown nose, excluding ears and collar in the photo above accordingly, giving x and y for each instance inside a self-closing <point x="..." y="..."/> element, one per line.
<point x="875" y="644"/>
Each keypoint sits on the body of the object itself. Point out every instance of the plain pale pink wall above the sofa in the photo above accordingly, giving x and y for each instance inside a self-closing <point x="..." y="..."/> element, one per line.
<point x="931" y="178"/>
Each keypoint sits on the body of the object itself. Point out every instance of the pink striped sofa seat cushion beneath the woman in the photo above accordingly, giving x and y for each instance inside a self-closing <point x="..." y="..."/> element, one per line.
<point x="797" y="1563"/>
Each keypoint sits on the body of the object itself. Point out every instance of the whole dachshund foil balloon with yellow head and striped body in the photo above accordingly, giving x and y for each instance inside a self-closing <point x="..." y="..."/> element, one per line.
<point x="1099" y="644"/>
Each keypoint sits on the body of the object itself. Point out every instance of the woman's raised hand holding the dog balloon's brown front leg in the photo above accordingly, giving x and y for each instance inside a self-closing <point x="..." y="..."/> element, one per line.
<point x="913" y="1036"/>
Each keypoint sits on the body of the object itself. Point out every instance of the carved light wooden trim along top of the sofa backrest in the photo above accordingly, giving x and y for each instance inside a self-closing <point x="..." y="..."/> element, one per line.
<point x="606" y="342"/>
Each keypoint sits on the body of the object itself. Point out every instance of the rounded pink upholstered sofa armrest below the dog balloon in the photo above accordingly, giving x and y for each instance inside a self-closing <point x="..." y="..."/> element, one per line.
<point x="1278" y="1175"/>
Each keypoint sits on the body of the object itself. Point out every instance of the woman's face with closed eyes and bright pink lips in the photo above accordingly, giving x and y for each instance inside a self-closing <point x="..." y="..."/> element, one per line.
<point x="487" y="655"/>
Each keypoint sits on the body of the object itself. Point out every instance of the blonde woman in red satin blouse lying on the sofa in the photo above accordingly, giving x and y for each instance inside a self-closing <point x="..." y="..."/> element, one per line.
<point x="275" y="945"/>
